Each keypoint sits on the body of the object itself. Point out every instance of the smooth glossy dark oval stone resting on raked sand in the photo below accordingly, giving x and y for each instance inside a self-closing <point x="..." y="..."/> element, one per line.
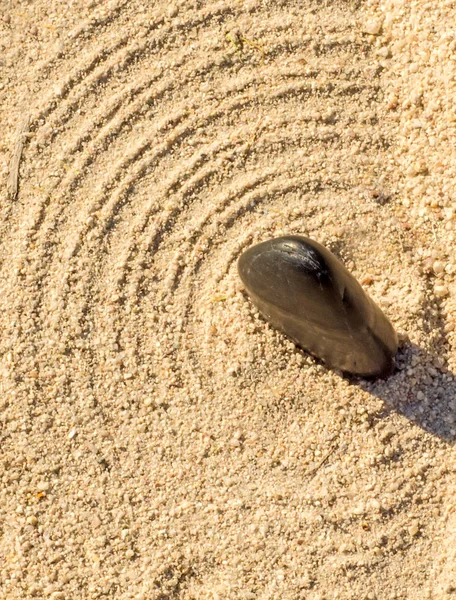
<point x="303" y="290"/>
